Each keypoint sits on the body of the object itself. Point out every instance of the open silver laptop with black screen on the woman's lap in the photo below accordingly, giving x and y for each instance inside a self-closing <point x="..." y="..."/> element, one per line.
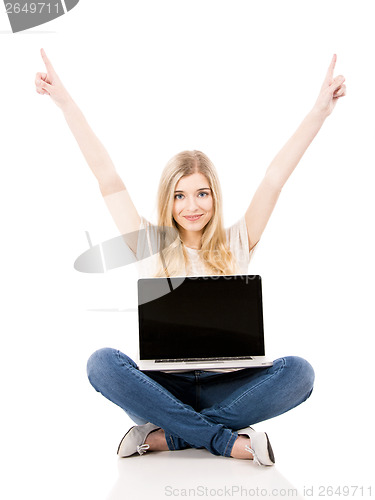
<point x="197" y="323"/>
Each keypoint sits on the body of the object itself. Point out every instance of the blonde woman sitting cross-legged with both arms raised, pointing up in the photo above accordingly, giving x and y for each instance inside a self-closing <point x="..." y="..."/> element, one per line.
<point x="202" y="408"/>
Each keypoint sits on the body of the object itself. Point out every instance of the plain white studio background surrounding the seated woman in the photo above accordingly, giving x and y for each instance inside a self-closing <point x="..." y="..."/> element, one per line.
<point x="233" y="79"/>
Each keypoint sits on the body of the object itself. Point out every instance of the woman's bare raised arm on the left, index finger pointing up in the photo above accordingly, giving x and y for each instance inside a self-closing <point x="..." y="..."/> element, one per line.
<point x="111" y="186"/>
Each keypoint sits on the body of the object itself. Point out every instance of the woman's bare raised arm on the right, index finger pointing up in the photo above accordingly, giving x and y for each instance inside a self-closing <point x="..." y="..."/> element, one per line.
<point x="281" y="167"/>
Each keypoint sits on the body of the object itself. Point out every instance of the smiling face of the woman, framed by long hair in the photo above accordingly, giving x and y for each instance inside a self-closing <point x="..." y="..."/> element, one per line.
<point x="193" y="197"/>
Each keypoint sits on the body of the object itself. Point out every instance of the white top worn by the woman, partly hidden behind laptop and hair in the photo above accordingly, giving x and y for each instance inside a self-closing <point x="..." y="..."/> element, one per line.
<point x="147" y="257"/>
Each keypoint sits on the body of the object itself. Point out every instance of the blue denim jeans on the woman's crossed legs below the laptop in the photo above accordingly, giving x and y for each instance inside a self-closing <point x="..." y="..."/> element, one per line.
<point x="201" y="409"/>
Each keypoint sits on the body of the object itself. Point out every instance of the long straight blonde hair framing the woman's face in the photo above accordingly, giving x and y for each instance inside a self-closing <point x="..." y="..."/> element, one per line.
<point x="215" y="253"/>
